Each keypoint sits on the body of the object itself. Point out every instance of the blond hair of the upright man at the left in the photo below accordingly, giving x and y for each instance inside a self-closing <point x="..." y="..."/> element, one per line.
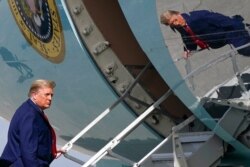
<point x="40" y="83"/>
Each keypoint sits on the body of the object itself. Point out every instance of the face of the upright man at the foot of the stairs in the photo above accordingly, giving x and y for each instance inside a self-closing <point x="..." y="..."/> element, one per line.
<point x="43" y="97"/>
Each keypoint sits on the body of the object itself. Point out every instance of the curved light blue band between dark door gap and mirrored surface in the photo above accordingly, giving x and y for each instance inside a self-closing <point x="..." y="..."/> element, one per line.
<point x="142" y="17"/>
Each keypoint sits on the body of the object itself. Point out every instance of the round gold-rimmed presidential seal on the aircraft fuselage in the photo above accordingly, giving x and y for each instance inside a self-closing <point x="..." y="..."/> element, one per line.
<point x="40" y="24"/>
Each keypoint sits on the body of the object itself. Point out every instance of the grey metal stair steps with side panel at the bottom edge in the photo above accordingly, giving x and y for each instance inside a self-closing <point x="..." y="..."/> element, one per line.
<point x="190" y="149"/>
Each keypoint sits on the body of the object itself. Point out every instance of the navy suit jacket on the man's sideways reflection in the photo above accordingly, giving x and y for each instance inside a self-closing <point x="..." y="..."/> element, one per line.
<point x="214" y="28"/>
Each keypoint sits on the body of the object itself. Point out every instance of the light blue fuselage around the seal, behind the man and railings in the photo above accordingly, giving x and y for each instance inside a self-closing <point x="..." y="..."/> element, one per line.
<point x="81" y="93"/>
